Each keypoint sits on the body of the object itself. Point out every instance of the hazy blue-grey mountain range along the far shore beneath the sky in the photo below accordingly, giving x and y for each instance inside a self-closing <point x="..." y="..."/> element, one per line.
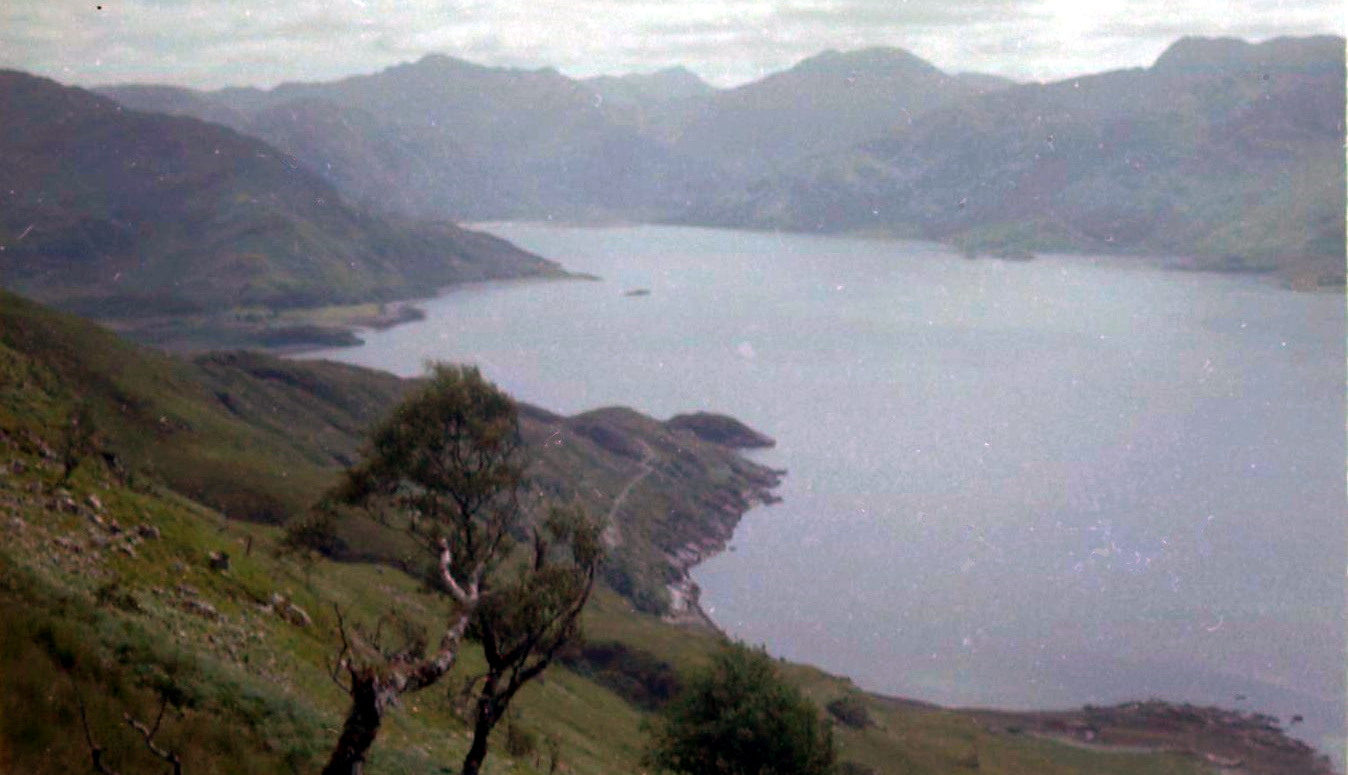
<point x="1223" y="154"/>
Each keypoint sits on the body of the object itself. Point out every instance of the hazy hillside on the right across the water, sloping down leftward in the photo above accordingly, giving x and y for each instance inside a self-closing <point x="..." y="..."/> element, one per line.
<point x="1225" y="153"/>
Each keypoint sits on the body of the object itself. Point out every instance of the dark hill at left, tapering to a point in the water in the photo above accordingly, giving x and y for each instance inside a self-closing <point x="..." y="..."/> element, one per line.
<point x="119" y="214"/>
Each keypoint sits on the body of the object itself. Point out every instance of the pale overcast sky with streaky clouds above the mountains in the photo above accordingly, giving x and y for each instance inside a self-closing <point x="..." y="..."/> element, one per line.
<point x="214" y="44"/>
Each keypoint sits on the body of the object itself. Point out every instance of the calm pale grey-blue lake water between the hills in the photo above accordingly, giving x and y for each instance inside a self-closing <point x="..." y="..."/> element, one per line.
<point x="1031" y="486"/>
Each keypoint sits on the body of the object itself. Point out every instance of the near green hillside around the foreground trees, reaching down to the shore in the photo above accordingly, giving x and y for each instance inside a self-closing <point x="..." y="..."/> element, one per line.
<point x="109" y="596"/>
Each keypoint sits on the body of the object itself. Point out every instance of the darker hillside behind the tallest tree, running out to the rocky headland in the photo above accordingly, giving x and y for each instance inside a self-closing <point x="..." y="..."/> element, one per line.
<point x="259" y="439"/>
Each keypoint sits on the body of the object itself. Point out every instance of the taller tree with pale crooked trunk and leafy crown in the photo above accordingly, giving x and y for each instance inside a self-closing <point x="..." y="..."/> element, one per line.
<point x="448" y="466"/>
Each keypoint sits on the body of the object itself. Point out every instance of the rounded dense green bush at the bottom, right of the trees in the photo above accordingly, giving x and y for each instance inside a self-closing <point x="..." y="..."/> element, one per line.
<point x="741" y="718"/>
